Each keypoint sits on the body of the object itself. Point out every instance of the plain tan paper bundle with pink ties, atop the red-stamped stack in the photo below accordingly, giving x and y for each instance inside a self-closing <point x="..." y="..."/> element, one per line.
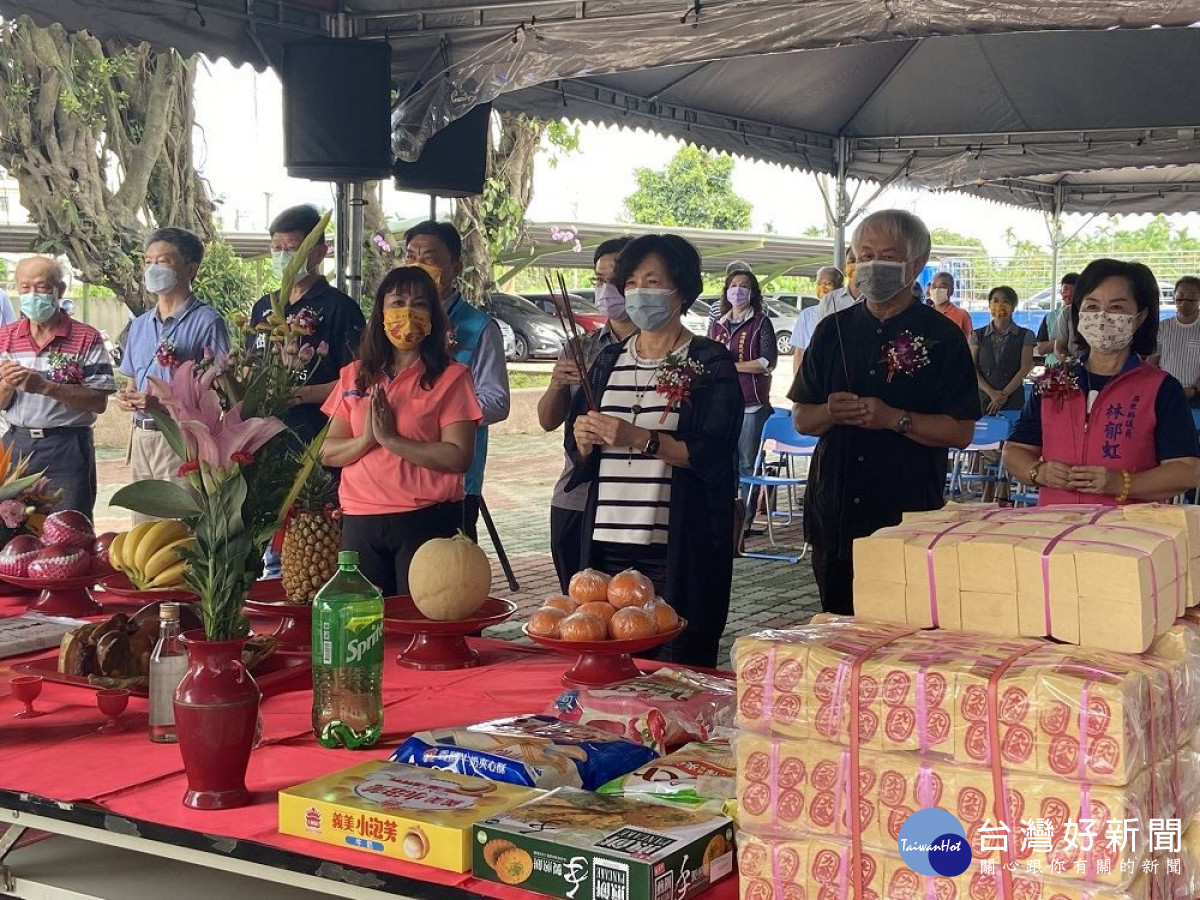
<point x="1107" y="578"/>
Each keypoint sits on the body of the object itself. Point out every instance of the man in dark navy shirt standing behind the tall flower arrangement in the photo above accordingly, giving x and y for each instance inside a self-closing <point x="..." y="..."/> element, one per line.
<point x="331" y="317"/>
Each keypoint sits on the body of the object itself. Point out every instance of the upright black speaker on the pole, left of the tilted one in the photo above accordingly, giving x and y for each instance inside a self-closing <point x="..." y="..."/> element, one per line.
<point x="338" y="110"/>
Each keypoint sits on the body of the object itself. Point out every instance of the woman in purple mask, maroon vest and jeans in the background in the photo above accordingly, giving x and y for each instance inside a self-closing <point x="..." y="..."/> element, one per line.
<point x="747" y="332"/>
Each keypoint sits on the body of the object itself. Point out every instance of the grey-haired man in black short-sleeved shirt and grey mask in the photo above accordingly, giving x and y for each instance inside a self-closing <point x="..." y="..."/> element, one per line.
<point x="887" y="387"/>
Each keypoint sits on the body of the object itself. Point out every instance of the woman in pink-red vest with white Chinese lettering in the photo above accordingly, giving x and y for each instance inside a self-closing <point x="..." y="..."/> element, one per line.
<point x="1108" y="429"/>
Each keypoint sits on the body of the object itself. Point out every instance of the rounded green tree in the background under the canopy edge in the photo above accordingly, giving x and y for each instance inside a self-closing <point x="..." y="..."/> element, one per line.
<point x="694" y="191"/>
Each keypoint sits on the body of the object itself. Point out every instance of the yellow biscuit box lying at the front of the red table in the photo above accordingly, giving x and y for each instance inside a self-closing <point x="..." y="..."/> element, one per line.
<point x="395" y="811"/>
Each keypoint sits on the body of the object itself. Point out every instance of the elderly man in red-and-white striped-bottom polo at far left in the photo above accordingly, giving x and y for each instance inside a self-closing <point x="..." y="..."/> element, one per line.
<point x="56" y="377"/>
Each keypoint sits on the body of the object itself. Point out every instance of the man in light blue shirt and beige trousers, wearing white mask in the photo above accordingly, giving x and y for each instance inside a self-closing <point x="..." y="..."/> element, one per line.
<point x="178" y="328"/>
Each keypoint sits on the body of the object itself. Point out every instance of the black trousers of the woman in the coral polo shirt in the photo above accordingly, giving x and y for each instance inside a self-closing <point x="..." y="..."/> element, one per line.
<point x="386" y="544"/>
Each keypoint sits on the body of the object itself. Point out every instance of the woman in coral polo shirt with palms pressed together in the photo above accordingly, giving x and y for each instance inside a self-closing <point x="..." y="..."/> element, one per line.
<point x="403" y="428"/>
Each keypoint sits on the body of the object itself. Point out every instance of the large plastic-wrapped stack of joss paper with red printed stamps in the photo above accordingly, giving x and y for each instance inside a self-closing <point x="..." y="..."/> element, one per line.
<point x="1088" y="747"/>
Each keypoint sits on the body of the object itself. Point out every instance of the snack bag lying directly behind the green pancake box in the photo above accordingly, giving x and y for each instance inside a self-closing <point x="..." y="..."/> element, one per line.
<point x="700" y="776"/>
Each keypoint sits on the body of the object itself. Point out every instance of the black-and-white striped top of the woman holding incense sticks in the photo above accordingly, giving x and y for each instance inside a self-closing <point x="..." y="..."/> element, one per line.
<point x="634" y="490"/>
